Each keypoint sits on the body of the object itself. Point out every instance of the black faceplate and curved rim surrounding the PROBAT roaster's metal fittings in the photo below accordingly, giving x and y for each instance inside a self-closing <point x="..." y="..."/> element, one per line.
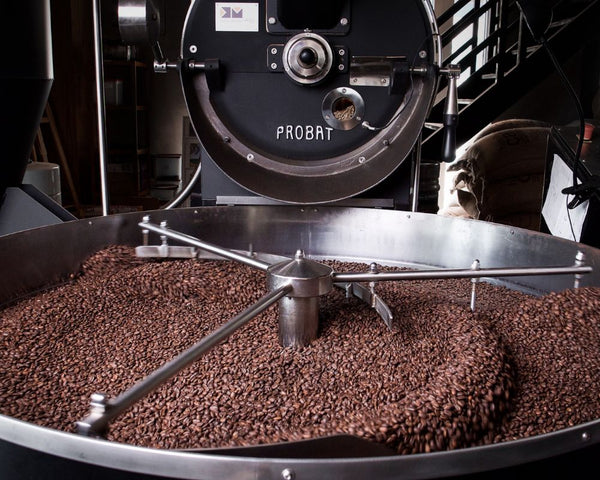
<point x="267" y="131"/>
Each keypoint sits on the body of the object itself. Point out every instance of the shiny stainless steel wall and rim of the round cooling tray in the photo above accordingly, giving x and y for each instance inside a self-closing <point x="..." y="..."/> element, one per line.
<point x="343" y="233"/>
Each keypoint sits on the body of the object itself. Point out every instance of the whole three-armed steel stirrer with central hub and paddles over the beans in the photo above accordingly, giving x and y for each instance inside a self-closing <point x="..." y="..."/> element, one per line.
<point x="296" y="284"/>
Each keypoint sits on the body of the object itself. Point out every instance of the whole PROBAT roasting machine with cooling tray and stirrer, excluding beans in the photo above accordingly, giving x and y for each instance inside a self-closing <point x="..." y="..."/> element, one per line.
<point x="304" y="107"/>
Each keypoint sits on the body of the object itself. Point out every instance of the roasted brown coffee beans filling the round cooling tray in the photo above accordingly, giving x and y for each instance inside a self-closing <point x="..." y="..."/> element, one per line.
<point x="444" y="378"/>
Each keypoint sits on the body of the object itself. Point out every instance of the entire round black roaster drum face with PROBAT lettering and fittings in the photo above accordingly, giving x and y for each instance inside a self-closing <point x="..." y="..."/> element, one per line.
<point x="281" y="103"/>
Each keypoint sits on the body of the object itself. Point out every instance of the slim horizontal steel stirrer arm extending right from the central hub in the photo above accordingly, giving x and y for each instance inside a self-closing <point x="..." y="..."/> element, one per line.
<point x="459" y="273"/>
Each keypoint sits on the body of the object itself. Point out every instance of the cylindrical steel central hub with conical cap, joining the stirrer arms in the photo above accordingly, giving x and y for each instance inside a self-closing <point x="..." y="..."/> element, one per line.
<point x="299" y="310"/>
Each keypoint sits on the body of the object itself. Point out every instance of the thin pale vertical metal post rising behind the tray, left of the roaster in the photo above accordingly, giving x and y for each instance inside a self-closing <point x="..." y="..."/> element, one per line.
<point x="101" y="106"/>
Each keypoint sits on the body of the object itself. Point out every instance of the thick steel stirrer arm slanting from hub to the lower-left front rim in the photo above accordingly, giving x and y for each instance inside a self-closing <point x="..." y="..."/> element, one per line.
<point x="98" y="420"/>
